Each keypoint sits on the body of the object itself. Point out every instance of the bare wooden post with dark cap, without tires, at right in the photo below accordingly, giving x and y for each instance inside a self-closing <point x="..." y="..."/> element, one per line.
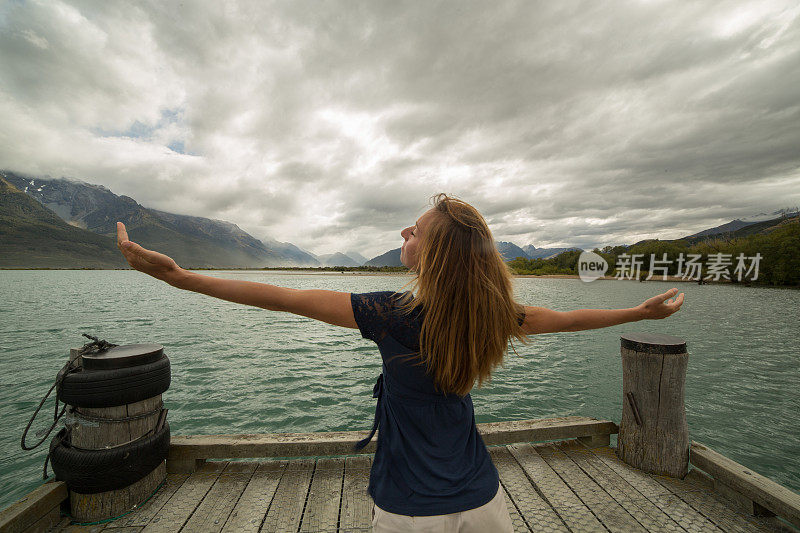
<point x="653" y="434"/>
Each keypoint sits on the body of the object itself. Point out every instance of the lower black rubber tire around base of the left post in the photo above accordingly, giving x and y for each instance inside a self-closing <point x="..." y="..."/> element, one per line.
<point x="93" y="471"/>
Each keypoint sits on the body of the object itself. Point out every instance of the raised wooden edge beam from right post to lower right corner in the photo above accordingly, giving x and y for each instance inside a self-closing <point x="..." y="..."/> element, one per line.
<point x="765" y="492"/>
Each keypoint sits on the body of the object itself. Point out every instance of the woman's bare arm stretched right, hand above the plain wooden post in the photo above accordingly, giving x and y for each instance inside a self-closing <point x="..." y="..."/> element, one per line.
<point x="543" y="320"/>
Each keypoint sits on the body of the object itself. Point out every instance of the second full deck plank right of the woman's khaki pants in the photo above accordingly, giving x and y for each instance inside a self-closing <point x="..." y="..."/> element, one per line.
<point x="558" y="495"/>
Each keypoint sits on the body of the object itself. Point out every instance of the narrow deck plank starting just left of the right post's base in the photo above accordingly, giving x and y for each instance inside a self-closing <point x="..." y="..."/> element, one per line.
<point x="663" y="498"/>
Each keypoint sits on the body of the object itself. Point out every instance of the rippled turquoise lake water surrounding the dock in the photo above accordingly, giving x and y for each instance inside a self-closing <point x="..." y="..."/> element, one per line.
<point x="238" y="369"/>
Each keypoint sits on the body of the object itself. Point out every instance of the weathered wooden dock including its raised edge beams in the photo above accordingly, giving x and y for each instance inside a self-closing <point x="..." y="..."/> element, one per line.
<point x="573" y="482"/>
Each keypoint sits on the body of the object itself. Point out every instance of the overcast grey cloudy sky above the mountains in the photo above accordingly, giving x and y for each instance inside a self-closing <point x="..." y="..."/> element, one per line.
<point x="330" y="124"/>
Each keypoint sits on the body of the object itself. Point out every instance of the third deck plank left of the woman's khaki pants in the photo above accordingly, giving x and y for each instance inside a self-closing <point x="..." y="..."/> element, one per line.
<point x="286" y="509"/>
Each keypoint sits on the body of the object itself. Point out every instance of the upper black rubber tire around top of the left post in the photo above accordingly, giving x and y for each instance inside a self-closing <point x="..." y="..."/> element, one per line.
<point x="109" y="388"/>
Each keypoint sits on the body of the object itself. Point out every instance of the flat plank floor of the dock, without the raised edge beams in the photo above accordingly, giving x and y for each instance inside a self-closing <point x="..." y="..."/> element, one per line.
<point x="562" y="486"/>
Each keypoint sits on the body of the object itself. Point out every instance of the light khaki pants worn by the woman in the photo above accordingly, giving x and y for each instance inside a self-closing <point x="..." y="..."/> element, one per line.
<point x="492" y="517"/>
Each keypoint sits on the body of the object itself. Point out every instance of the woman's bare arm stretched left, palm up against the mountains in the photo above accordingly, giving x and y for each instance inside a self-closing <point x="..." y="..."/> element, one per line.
<point x="332" y="307"/>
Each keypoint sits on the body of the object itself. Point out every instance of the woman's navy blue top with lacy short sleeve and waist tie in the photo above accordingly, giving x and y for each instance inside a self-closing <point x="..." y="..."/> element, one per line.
<point x="430" y="458"/>
